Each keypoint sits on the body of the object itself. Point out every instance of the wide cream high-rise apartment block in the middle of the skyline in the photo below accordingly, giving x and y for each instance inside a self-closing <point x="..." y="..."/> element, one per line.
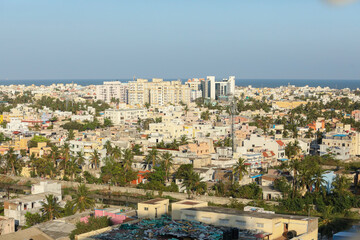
<point x="158" y="92"/>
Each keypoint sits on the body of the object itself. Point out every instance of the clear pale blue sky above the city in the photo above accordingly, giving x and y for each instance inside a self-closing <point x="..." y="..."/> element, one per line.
<point x="115" y="39"/>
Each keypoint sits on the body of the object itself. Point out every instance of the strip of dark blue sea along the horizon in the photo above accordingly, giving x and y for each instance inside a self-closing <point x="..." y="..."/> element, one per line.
<point x="257" y="83"/>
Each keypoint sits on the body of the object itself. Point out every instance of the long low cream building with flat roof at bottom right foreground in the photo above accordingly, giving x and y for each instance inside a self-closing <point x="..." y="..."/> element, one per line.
<point x="269" y="225"/>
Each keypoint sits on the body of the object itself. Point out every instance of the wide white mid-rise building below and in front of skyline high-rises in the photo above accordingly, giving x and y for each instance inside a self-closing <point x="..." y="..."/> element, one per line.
<point x="121" y="116"/>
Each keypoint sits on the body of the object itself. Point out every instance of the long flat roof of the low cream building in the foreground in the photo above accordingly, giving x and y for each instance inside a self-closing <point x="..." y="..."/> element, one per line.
<point x="236" y="212"/>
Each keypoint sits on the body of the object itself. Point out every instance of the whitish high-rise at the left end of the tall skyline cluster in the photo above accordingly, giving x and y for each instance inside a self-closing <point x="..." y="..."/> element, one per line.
<point x="112" y="89"/>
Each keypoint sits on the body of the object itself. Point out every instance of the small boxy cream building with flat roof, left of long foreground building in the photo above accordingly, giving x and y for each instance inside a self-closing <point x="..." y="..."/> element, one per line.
<point x="153" y="208"/>
